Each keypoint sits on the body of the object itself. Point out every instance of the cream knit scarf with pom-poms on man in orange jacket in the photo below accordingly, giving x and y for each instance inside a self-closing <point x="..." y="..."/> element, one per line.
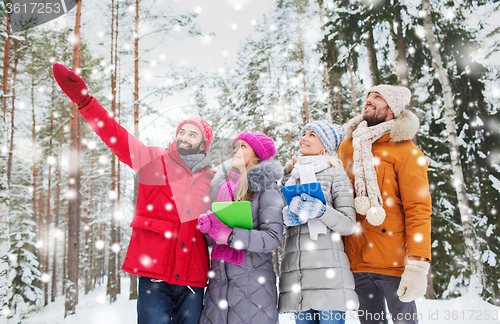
<point x="368" y="199"/>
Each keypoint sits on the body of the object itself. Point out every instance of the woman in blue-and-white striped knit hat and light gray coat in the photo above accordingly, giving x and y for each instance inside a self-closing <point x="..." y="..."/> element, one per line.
<point x="316" y="284"/>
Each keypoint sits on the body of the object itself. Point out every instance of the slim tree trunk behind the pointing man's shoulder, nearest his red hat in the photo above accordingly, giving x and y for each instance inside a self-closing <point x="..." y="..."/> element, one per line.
<point x="133" y="278"/>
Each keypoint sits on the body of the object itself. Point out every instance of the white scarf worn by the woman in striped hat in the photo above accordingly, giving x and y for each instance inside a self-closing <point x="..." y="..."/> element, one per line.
<point x="305" y="169"/>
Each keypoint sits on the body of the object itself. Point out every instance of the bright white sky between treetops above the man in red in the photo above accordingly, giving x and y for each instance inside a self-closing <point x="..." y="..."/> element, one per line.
<point x="228" y="21"/>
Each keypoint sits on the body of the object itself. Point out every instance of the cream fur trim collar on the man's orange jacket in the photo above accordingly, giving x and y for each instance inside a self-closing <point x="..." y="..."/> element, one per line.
<point x="405" y="127"/>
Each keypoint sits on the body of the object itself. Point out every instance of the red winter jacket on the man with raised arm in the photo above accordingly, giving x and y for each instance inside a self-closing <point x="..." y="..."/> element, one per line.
<point x="166" y="243"/>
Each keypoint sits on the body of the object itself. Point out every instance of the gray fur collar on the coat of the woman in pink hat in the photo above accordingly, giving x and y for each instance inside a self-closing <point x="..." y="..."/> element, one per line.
<point x="259" y="177"/>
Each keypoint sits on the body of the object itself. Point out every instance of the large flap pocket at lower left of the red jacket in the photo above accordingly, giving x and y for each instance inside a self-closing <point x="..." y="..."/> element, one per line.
<point x="150" y="244"/>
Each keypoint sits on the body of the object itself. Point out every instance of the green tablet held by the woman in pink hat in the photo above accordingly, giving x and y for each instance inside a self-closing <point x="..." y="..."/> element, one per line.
<point x="234" y="213"/>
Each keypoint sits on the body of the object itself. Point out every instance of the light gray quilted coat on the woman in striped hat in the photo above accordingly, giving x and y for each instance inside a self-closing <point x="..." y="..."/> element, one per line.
<point x="316" y="274"/>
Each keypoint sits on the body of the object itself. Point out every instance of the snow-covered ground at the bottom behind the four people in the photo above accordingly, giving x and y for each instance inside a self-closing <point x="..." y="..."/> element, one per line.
<point x="94" y="308"/>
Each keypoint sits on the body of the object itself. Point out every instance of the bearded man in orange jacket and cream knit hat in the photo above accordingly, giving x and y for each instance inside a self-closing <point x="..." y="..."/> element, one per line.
<point x="390" y="250"/>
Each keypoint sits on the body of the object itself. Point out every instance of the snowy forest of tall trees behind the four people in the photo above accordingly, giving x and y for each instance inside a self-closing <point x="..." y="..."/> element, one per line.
<point x="66" y="202"/>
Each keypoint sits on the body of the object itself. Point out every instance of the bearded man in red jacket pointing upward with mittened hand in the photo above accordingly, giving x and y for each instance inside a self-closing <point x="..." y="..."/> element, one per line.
<point x="166" y="248"/>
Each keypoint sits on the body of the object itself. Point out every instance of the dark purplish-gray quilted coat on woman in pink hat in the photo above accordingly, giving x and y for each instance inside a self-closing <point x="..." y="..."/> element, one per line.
<point x="249" y="289"/>
